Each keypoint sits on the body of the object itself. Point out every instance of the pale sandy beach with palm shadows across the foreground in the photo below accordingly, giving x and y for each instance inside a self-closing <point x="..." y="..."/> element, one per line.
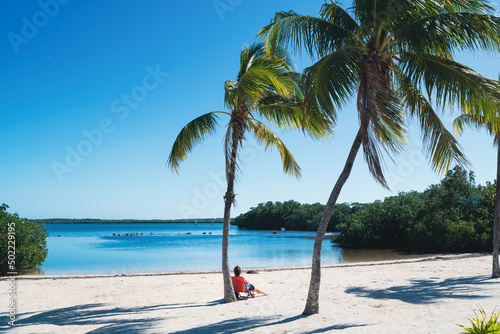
<point x="402" y="297"/>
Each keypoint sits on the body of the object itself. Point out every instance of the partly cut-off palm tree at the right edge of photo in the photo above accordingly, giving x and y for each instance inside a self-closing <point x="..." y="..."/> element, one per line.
<point x="493" y="127"/>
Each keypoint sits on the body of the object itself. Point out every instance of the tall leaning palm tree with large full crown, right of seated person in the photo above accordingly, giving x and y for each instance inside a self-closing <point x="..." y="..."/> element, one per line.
<point x="395" y="55"/>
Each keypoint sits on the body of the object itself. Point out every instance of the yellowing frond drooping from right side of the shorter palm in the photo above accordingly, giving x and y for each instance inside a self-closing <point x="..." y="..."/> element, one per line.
<point x="266" y="136"/>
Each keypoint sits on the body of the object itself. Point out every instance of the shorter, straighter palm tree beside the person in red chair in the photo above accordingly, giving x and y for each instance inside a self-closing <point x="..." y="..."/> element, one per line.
<point x="266" y="86"/>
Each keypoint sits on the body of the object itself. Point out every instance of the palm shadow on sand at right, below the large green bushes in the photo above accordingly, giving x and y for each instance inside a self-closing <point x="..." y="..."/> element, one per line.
<point x="427" y="291"/>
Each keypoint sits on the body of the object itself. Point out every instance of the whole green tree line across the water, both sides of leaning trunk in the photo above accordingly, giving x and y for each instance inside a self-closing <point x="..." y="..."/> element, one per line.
<point x="453" y="216"/>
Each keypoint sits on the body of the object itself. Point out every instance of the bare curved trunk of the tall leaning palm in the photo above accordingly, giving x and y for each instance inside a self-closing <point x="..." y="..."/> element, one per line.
<point x="312" y="304"/>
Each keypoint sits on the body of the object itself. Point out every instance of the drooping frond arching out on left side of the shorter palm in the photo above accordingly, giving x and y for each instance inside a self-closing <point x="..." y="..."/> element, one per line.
<point x="191" y="134"/>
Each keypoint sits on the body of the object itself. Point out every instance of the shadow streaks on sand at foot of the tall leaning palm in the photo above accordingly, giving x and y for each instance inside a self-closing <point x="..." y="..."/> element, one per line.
<point x="241" y="324"/>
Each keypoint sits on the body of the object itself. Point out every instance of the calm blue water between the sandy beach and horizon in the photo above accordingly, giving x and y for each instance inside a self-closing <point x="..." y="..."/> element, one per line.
<point x="92" y="248"/>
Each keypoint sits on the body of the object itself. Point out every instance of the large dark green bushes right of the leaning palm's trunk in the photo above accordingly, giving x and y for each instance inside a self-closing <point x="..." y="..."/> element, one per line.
<point x="455" y="215"/>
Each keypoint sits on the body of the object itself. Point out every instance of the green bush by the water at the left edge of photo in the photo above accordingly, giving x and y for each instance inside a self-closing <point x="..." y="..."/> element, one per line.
<point x="23" y="242"/>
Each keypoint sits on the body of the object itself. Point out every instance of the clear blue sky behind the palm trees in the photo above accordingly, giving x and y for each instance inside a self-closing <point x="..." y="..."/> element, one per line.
<point x="93" y="94"/>
